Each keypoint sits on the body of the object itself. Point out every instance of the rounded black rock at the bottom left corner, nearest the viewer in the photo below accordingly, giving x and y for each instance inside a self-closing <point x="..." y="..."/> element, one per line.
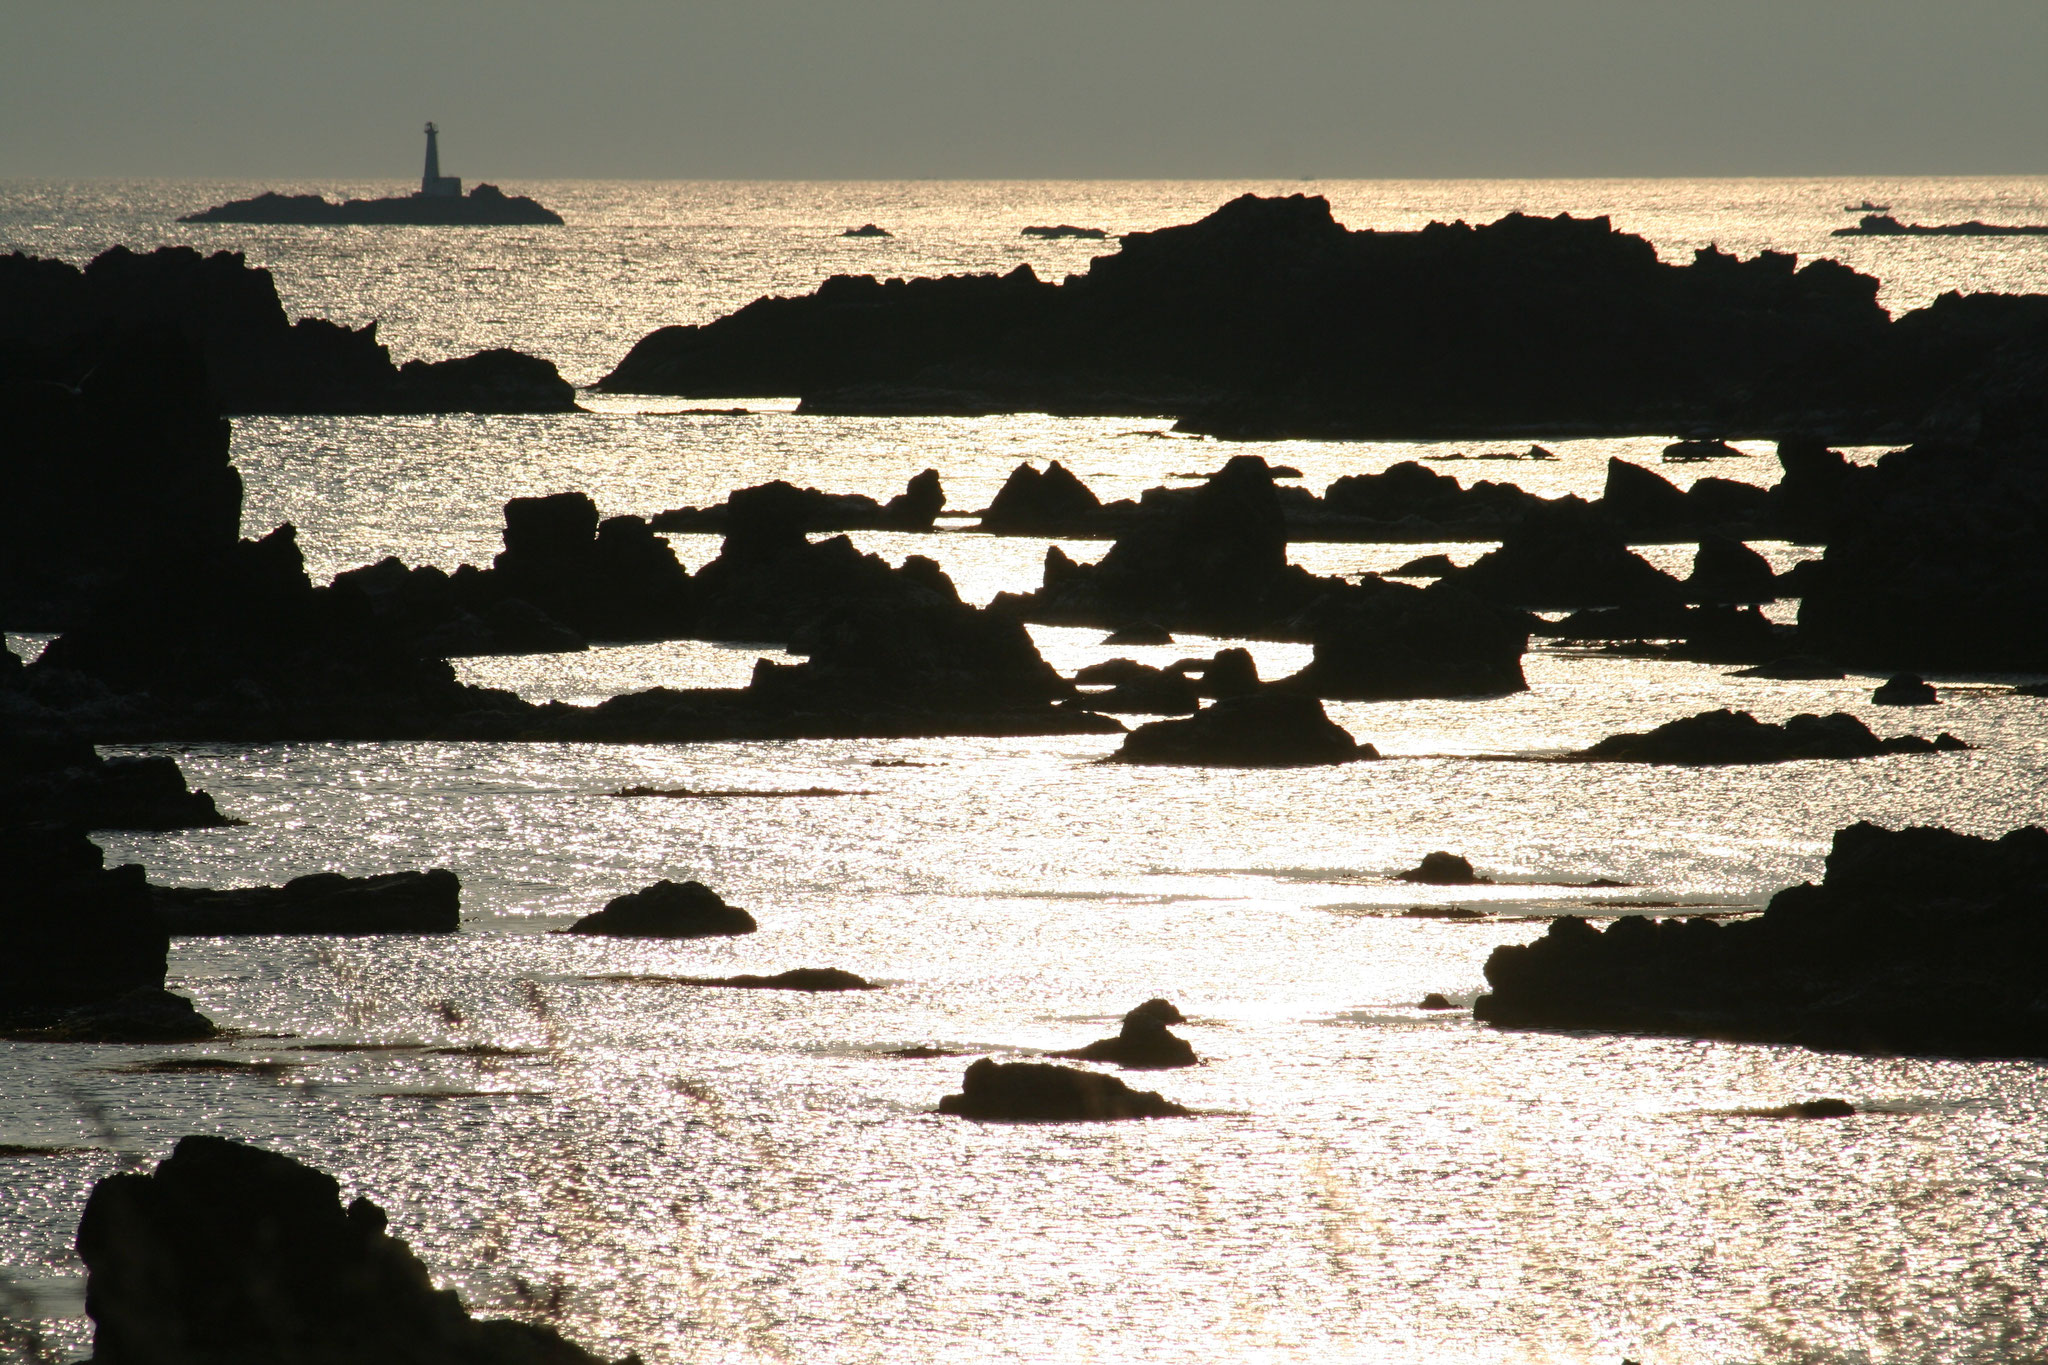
<point x="230" y="1256"/>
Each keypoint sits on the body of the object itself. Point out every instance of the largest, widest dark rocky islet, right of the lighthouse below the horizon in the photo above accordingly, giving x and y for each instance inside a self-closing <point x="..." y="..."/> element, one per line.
<point x="1269" y="320"/>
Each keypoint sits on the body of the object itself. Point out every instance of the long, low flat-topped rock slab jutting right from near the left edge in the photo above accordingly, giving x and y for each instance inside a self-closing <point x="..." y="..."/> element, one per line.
<point x="318" y="904"/>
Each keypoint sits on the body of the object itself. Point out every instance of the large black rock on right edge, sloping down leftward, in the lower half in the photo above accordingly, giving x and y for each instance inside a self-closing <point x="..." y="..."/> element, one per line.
<point x="1918" y="942"/>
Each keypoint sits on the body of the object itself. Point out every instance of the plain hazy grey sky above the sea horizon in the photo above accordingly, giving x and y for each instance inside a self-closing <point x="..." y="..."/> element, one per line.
<point x="970" y="89"/>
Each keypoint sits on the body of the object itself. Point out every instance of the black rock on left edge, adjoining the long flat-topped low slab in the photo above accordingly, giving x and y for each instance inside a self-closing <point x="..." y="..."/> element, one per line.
<point x="81" y="951"/>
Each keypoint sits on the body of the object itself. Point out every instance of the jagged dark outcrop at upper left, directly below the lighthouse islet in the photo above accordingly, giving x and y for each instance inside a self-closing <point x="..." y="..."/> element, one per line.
<point x="257" y="359"/>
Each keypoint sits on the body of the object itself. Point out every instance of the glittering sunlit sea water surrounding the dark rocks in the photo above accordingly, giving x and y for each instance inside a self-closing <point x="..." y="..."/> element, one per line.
<point x="751" y="1176"/>
